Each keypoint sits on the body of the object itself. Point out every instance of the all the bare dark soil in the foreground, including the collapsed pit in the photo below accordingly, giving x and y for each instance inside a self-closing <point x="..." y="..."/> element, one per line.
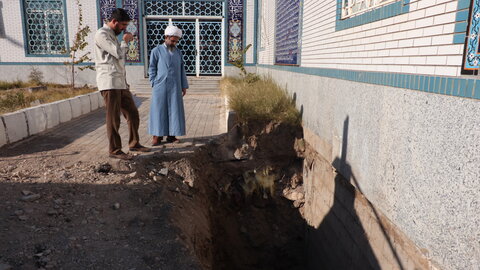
<point x="223" y="207"/>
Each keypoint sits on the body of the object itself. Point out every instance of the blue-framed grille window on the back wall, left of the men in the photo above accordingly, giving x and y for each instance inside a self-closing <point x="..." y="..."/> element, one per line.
<point x="44" y="26"/>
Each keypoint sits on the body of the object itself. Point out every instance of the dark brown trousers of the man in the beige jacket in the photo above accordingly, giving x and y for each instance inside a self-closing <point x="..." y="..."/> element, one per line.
<point x="117" y="101"/>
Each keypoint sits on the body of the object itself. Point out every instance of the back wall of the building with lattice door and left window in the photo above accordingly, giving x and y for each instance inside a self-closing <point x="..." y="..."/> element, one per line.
<point x="37" y="33"/>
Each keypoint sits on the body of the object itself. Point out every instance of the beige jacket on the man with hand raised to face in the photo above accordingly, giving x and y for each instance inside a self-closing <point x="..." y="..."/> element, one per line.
<point x="110" y="60"/>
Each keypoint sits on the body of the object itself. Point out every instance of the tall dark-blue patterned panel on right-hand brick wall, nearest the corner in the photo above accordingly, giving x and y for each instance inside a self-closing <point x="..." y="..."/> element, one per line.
<point x="287" y="32"/>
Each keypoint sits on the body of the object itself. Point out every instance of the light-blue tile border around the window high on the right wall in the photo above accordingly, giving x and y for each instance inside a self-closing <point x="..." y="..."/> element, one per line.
<point x="376" y="14"/>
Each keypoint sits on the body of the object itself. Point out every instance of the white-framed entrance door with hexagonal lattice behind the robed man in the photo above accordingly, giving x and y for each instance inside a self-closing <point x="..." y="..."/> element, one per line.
<point x="202" y="26"/>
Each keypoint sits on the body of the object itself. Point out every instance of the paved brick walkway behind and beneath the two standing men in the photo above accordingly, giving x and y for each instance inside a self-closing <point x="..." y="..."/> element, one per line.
<point x="84" y="138"/>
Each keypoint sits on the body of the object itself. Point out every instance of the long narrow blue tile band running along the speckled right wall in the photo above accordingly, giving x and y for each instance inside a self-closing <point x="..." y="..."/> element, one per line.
<point x="460" y="87"/>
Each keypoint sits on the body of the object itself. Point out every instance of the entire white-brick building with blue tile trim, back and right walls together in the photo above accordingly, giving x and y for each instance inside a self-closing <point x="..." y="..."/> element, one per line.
<point x="388" y="92"/>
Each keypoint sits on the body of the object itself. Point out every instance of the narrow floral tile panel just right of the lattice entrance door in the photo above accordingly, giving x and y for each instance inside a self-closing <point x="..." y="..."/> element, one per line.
<point x="235" y="30"/>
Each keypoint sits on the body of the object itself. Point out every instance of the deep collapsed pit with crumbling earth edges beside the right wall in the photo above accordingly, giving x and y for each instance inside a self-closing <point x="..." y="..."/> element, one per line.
<point x="237" y="200"/>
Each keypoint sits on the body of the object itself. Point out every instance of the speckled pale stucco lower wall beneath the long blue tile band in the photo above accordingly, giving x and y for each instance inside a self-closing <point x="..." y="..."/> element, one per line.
<point x="415" y="156"/>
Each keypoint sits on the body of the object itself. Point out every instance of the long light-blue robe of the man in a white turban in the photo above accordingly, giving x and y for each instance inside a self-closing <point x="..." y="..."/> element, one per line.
<point x="167" y="77"/>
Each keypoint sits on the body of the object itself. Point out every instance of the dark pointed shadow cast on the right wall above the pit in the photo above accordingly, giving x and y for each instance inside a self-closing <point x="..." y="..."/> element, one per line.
<point x="340" y="241"/>
